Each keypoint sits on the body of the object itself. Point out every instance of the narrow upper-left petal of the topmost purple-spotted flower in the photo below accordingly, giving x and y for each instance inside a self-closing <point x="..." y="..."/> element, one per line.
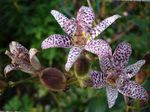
<point x="68" y="25"/>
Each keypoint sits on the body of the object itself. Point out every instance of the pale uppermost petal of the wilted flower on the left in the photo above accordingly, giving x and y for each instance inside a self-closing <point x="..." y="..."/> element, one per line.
<point x="16" y="48"/>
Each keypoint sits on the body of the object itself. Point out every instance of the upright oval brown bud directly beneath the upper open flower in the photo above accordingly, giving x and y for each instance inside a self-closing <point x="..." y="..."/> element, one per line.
<point x="82" y="66"/>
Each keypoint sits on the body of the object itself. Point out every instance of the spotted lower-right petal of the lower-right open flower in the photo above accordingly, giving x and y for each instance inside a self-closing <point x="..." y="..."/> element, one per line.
<point x="133" y="90"/>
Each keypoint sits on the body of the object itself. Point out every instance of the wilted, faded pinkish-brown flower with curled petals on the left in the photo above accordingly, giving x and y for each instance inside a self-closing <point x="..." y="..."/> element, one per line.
<point x="22" y="59"/>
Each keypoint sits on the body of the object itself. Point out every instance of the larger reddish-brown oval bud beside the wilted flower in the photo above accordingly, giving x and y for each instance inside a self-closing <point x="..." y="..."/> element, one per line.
<point x="53" y="79"/>
